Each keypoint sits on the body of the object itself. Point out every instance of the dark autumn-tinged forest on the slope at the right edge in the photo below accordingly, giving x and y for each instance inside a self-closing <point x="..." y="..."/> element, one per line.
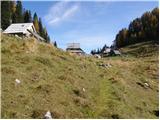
<point x="145" y="28"/>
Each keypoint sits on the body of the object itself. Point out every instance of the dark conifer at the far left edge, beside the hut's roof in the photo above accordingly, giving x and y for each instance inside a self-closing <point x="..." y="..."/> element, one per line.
<point x="5" y="14"/>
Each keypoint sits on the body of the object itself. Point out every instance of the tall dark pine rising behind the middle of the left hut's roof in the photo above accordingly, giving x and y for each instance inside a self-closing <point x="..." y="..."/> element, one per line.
<point x="19" y="12"/>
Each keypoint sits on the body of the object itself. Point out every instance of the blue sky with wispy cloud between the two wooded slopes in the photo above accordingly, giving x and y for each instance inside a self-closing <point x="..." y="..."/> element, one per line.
<point x="92" y="24"/>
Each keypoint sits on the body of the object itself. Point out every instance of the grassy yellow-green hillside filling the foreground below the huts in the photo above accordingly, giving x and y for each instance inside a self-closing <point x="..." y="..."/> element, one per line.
<point x="75" y="87"/>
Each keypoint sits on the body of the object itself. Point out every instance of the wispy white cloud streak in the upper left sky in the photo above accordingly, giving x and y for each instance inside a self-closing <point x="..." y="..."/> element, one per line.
<point x="60" y="11"/>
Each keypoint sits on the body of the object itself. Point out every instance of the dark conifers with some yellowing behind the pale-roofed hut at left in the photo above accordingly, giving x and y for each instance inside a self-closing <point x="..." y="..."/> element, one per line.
<point x="13" y="12"/>
